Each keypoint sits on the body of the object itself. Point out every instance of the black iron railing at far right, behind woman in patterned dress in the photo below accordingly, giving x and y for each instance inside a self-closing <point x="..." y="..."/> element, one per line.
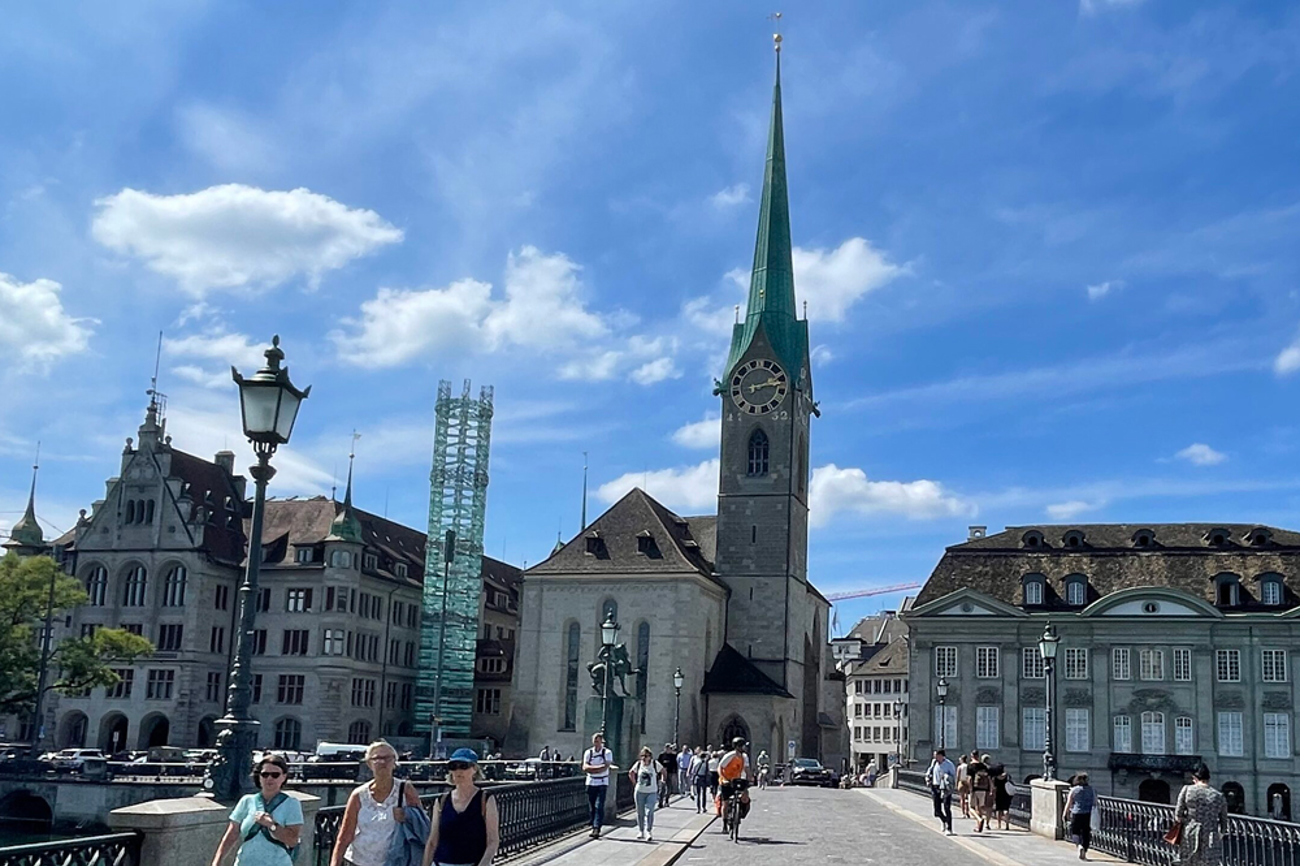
<point x="1137" y="832"/>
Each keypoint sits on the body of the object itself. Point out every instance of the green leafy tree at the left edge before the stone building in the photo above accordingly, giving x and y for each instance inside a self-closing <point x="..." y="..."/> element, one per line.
<point x="76" y="664"/>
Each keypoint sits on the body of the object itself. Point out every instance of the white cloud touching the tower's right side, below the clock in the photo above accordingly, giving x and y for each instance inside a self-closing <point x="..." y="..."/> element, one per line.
<point x="835" y="491"/>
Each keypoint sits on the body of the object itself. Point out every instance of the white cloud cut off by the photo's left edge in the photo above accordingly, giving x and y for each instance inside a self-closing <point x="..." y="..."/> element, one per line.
<point x="34" y="328"/>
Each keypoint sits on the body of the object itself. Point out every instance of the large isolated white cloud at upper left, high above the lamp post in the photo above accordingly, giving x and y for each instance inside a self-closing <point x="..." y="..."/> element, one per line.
<point x="236" y="236"/>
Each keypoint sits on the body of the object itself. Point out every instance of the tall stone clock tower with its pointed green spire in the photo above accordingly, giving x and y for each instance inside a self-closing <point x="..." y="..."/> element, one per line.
<point x="766" y="397"/>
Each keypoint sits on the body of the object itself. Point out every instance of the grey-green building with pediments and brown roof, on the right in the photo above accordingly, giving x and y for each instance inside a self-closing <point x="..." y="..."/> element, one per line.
<point x="1178" y="644"/>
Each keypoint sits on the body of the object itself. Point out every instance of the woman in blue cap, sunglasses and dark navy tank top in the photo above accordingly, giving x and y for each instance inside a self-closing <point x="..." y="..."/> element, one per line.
<point x="466" y="825"/>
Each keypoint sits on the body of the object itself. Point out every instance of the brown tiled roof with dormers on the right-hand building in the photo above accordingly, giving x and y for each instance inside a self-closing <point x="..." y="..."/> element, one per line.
<point x="1178" y="557"/>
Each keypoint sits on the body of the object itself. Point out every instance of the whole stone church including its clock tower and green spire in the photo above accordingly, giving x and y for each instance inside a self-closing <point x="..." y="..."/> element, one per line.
<point x="726" y="599"/>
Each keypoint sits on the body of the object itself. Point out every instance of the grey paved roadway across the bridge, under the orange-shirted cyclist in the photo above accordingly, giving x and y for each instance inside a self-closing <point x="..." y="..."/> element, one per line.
<point x="825" y="826"/>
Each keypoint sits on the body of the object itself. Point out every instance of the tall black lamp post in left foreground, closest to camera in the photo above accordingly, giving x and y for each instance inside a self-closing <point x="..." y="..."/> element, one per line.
<point x="268" y="405"/>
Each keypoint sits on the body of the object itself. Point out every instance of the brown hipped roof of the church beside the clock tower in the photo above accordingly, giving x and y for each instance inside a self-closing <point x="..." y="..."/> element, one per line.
<point x="614" y="543"/>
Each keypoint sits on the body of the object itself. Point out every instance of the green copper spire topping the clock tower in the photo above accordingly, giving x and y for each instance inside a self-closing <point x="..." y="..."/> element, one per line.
<point x="772" y="287"/>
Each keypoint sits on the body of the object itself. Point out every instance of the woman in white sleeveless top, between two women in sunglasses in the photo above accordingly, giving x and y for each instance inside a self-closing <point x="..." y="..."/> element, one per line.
<point x="374" y="812"/>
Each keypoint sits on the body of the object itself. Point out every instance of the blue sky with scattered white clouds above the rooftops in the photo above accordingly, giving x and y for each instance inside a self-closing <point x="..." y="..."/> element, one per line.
<point x="1050" y="252"/>
